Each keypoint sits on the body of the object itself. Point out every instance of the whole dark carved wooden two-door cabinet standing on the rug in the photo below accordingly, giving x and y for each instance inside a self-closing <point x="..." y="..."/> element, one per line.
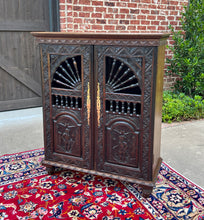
<point x="102" y="100"/>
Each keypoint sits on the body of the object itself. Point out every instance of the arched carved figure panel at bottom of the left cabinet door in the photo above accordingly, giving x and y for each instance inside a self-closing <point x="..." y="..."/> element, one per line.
<point x="67" y="136"/>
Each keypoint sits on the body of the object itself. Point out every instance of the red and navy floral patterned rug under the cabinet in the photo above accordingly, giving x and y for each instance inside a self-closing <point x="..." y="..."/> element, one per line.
<point x="28" y="192"/>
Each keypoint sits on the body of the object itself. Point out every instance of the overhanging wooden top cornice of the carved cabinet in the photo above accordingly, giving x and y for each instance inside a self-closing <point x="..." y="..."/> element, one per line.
<point x="140" y="39"/>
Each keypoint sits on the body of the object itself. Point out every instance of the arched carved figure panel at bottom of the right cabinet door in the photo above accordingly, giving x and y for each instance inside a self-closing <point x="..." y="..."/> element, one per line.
<point x="122" y="144"/>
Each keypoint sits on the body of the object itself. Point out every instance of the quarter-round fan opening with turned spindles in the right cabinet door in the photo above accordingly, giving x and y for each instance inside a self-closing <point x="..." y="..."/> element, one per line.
<point x="120" y="78"/>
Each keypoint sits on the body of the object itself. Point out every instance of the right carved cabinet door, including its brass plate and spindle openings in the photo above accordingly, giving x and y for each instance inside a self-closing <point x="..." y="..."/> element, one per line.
<point x="123" y="109"/>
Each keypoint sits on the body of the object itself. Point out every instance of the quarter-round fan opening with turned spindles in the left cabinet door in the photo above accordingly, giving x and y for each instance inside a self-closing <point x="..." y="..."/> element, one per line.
<point x="68" y="74"/>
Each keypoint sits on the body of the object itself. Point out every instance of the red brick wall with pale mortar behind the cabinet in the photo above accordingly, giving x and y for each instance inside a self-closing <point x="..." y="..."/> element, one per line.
<point x="124" y="16"/>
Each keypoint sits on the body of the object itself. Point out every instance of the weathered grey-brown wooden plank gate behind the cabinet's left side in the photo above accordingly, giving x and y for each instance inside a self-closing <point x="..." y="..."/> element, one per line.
<point x="20" y="84"/>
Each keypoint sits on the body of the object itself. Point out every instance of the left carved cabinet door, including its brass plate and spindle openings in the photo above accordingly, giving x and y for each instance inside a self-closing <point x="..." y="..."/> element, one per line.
<point x="67" y="93"/>
